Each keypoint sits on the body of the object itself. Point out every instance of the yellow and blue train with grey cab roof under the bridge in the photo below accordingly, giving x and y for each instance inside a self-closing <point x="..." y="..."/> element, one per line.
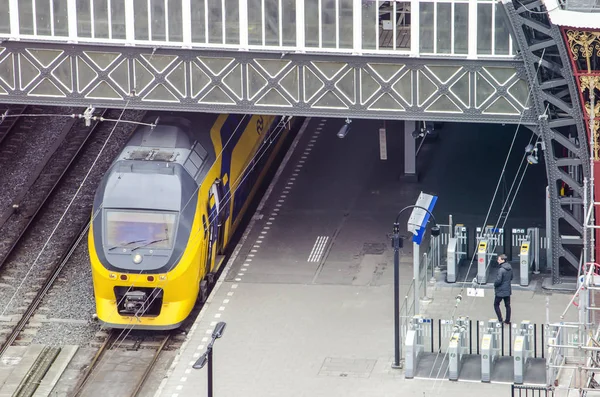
<point x="166" y="210"/>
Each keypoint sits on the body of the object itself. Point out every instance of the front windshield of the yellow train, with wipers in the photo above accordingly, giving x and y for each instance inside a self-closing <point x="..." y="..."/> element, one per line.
<point x="130" y="229"/>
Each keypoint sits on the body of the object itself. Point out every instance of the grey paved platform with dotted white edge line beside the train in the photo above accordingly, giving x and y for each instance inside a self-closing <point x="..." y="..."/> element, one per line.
<point x="308" y="294"/>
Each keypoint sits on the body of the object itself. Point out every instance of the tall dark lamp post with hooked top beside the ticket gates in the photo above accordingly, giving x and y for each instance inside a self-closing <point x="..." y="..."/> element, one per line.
<point x="397" y="244"/>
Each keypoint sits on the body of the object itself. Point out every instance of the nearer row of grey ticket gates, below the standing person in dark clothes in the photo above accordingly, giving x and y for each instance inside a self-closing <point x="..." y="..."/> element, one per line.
<point x="462" y="349"/>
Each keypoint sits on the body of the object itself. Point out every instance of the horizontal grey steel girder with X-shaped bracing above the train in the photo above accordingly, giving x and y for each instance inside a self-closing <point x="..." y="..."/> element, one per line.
<point x="265" y="83"/>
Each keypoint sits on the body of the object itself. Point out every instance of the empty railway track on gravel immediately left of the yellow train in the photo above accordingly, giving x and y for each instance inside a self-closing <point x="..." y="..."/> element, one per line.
<point x="44" y="202"/>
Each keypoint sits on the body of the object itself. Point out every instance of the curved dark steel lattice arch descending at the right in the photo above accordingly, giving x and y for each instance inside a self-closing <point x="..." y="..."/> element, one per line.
<point x="559" y="125"/>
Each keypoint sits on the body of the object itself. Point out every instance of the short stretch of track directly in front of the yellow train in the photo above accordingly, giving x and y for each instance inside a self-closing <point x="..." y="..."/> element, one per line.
<point x="115" y="344"/>
